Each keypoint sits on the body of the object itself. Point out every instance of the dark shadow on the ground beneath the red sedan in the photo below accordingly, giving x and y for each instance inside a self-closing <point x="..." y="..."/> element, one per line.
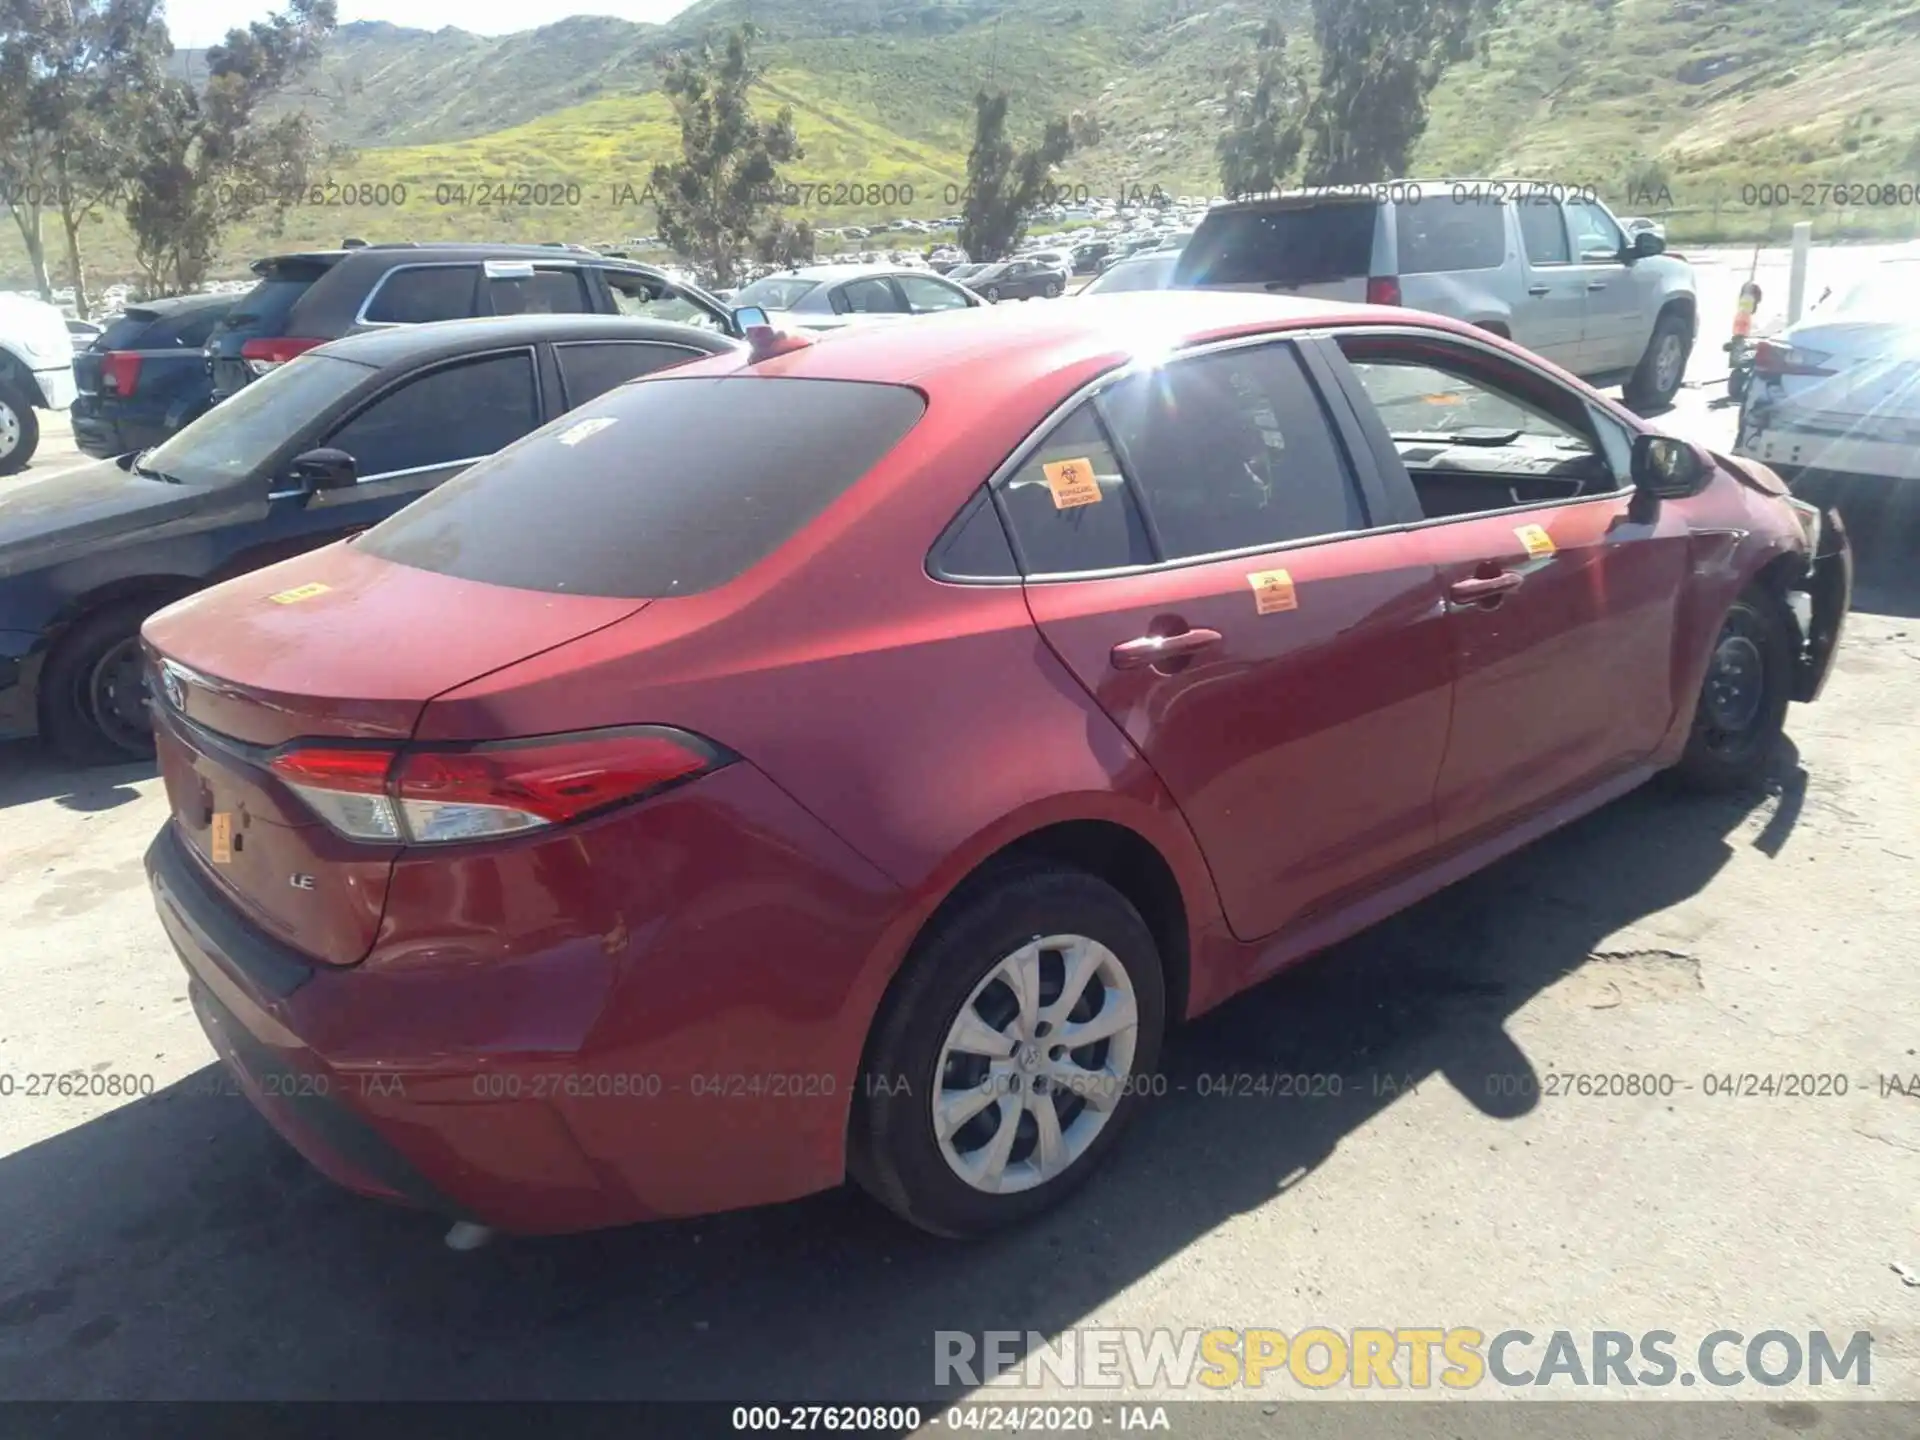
<point x="178" y="1249"/>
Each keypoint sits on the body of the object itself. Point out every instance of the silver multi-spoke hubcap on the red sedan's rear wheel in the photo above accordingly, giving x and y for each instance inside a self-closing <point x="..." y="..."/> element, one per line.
<point x="1036" y="1065"/>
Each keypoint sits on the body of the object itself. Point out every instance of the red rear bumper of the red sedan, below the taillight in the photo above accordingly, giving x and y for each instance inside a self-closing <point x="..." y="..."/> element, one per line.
<point x="512" y="1070"/>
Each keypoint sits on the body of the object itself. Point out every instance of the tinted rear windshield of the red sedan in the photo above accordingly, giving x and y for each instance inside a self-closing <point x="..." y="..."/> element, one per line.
<point x="660" y="489"/>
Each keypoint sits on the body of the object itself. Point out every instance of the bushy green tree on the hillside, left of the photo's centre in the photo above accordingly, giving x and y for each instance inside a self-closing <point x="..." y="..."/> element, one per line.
<point x="713" y="201"/>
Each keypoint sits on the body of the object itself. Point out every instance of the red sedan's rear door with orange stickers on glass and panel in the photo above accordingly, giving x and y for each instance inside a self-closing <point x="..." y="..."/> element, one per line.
<point x="1197" y="550"/>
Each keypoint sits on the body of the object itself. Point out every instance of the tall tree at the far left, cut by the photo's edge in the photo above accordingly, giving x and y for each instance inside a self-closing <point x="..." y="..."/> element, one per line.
<point x="74" y="84"/>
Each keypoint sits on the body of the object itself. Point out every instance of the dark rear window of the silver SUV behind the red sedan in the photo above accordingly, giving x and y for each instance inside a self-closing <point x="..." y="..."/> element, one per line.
<point x="1303" y="245"/>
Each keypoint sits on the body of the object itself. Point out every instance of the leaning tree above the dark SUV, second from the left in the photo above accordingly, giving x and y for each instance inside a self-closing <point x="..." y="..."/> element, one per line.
<point x="208" y="156"/>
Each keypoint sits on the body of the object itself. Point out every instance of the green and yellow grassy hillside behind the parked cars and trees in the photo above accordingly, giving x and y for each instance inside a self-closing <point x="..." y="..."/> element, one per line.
<point x="1689" y="108"/>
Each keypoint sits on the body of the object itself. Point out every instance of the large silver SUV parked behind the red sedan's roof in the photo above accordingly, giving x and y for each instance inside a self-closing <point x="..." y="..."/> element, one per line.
<point x="1543" y="264"/>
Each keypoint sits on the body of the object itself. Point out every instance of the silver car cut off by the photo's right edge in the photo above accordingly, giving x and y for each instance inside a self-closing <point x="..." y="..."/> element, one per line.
<point x="1840" y="393"/>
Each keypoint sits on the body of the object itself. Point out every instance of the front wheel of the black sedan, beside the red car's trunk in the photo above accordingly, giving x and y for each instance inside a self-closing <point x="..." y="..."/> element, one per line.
<point x="85" y="719"/>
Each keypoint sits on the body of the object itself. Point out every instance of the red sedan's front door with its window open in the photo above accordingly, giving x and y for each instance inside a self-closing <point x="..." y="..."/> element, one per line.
<point x="1560" y="587"/>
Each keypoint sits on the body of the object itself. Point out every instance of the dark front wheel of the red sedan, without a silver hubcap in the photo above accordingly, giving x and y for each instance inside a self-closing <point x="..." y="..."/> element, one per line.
<point x="1744" y="698"/>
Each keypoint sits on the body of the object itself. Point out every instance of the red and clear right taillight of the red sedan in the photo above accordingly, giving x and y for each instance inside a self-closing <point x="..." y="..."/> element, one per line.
<point x="477" y="792"/>
